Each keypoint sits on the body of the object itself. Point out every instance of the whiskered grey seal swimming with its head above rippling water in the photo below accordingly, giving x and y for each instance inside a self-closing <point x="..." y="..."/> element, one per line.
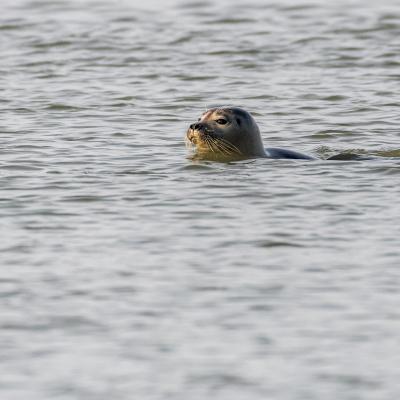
<point x="231" y="133"/>
